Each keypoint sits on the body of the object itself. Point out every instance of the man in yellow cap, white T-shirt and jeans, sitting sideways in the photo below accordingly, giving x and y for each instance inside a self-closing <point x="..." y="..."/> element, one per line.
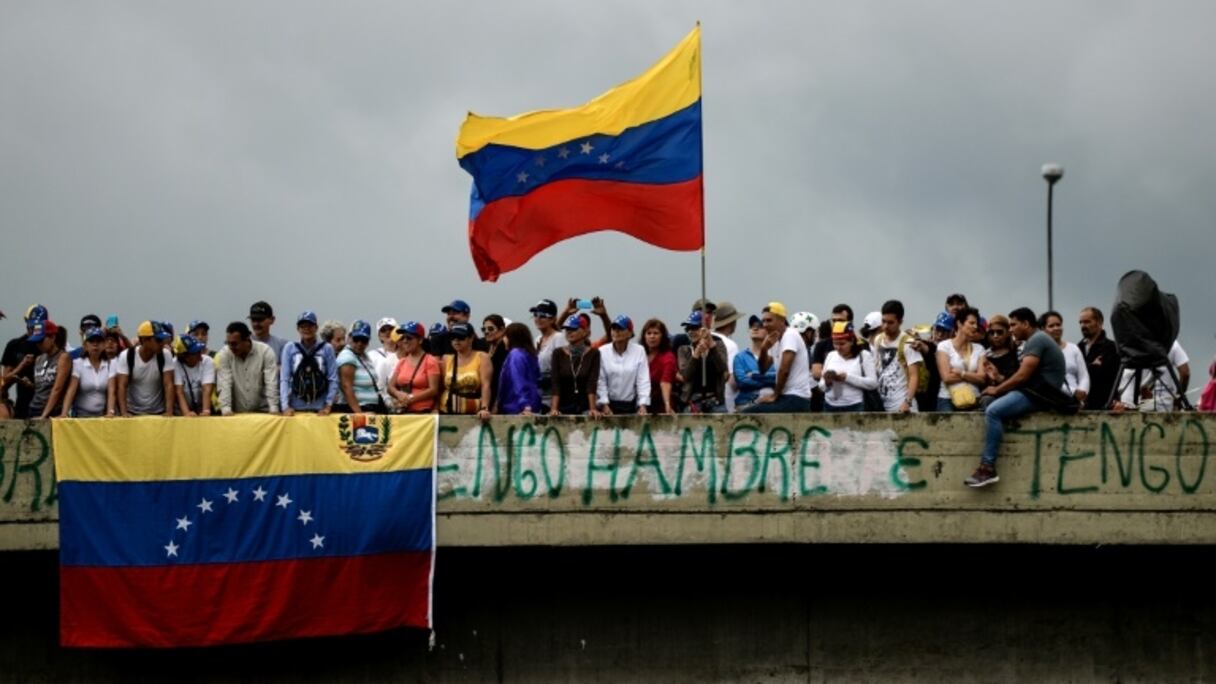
<point x="785" y="349"/>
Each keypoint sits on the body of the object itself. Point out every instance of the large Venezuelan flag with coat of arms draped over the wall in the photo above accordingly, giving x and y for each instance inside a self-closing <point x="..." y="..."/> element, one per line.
<point x="201" y="532"/>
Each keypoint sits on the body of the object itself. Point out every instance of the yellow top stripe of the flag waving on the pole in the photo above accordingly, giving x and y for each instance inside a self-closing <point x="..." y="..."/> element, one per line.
<point x="668" y="87"/>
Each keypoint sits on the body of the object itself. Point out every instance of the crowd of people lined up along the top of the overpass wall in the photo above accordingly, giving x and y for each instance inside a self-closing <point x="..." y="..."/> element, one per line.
<point x="1004" y="366"/>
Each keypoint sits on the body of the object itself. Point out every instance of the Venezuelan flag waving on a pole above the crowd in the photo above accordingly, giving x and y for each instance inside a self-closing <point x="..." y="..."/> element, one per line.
<point x="629" y="161"/>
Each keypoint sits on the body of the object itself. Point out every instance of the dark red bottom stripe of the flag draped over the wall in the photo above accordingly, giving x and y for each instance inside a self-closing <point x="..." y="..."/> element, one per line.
<point x="201" y="605"/>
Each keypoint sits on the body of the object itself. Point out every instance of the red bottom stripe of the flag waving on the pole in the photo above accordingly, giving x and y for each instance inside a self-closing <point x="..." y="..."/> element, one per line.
<point x="510" y="232"/>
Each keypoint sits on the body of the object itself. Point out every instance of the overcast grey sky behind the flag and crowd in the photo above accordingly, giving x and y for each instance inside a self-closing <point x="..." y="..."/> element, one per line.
<point x="179" y="161"/>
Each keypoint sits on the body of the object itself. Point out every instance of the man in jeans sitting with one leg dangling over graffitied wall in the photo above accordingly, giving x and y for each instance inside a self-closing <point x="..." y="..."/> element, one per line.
<point x="1042" y="371"/>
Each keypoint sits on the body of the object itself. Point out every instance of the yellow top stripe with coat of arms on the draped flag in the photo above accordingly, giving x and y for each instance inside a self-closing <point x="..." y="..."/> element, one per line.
<point x="142" y="450"/>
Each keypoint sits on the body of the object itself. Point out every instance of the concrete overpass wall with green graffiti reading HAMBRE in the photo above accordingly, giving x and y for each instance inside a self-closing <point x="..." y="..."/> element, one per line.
<point x="838" y="479"/>
